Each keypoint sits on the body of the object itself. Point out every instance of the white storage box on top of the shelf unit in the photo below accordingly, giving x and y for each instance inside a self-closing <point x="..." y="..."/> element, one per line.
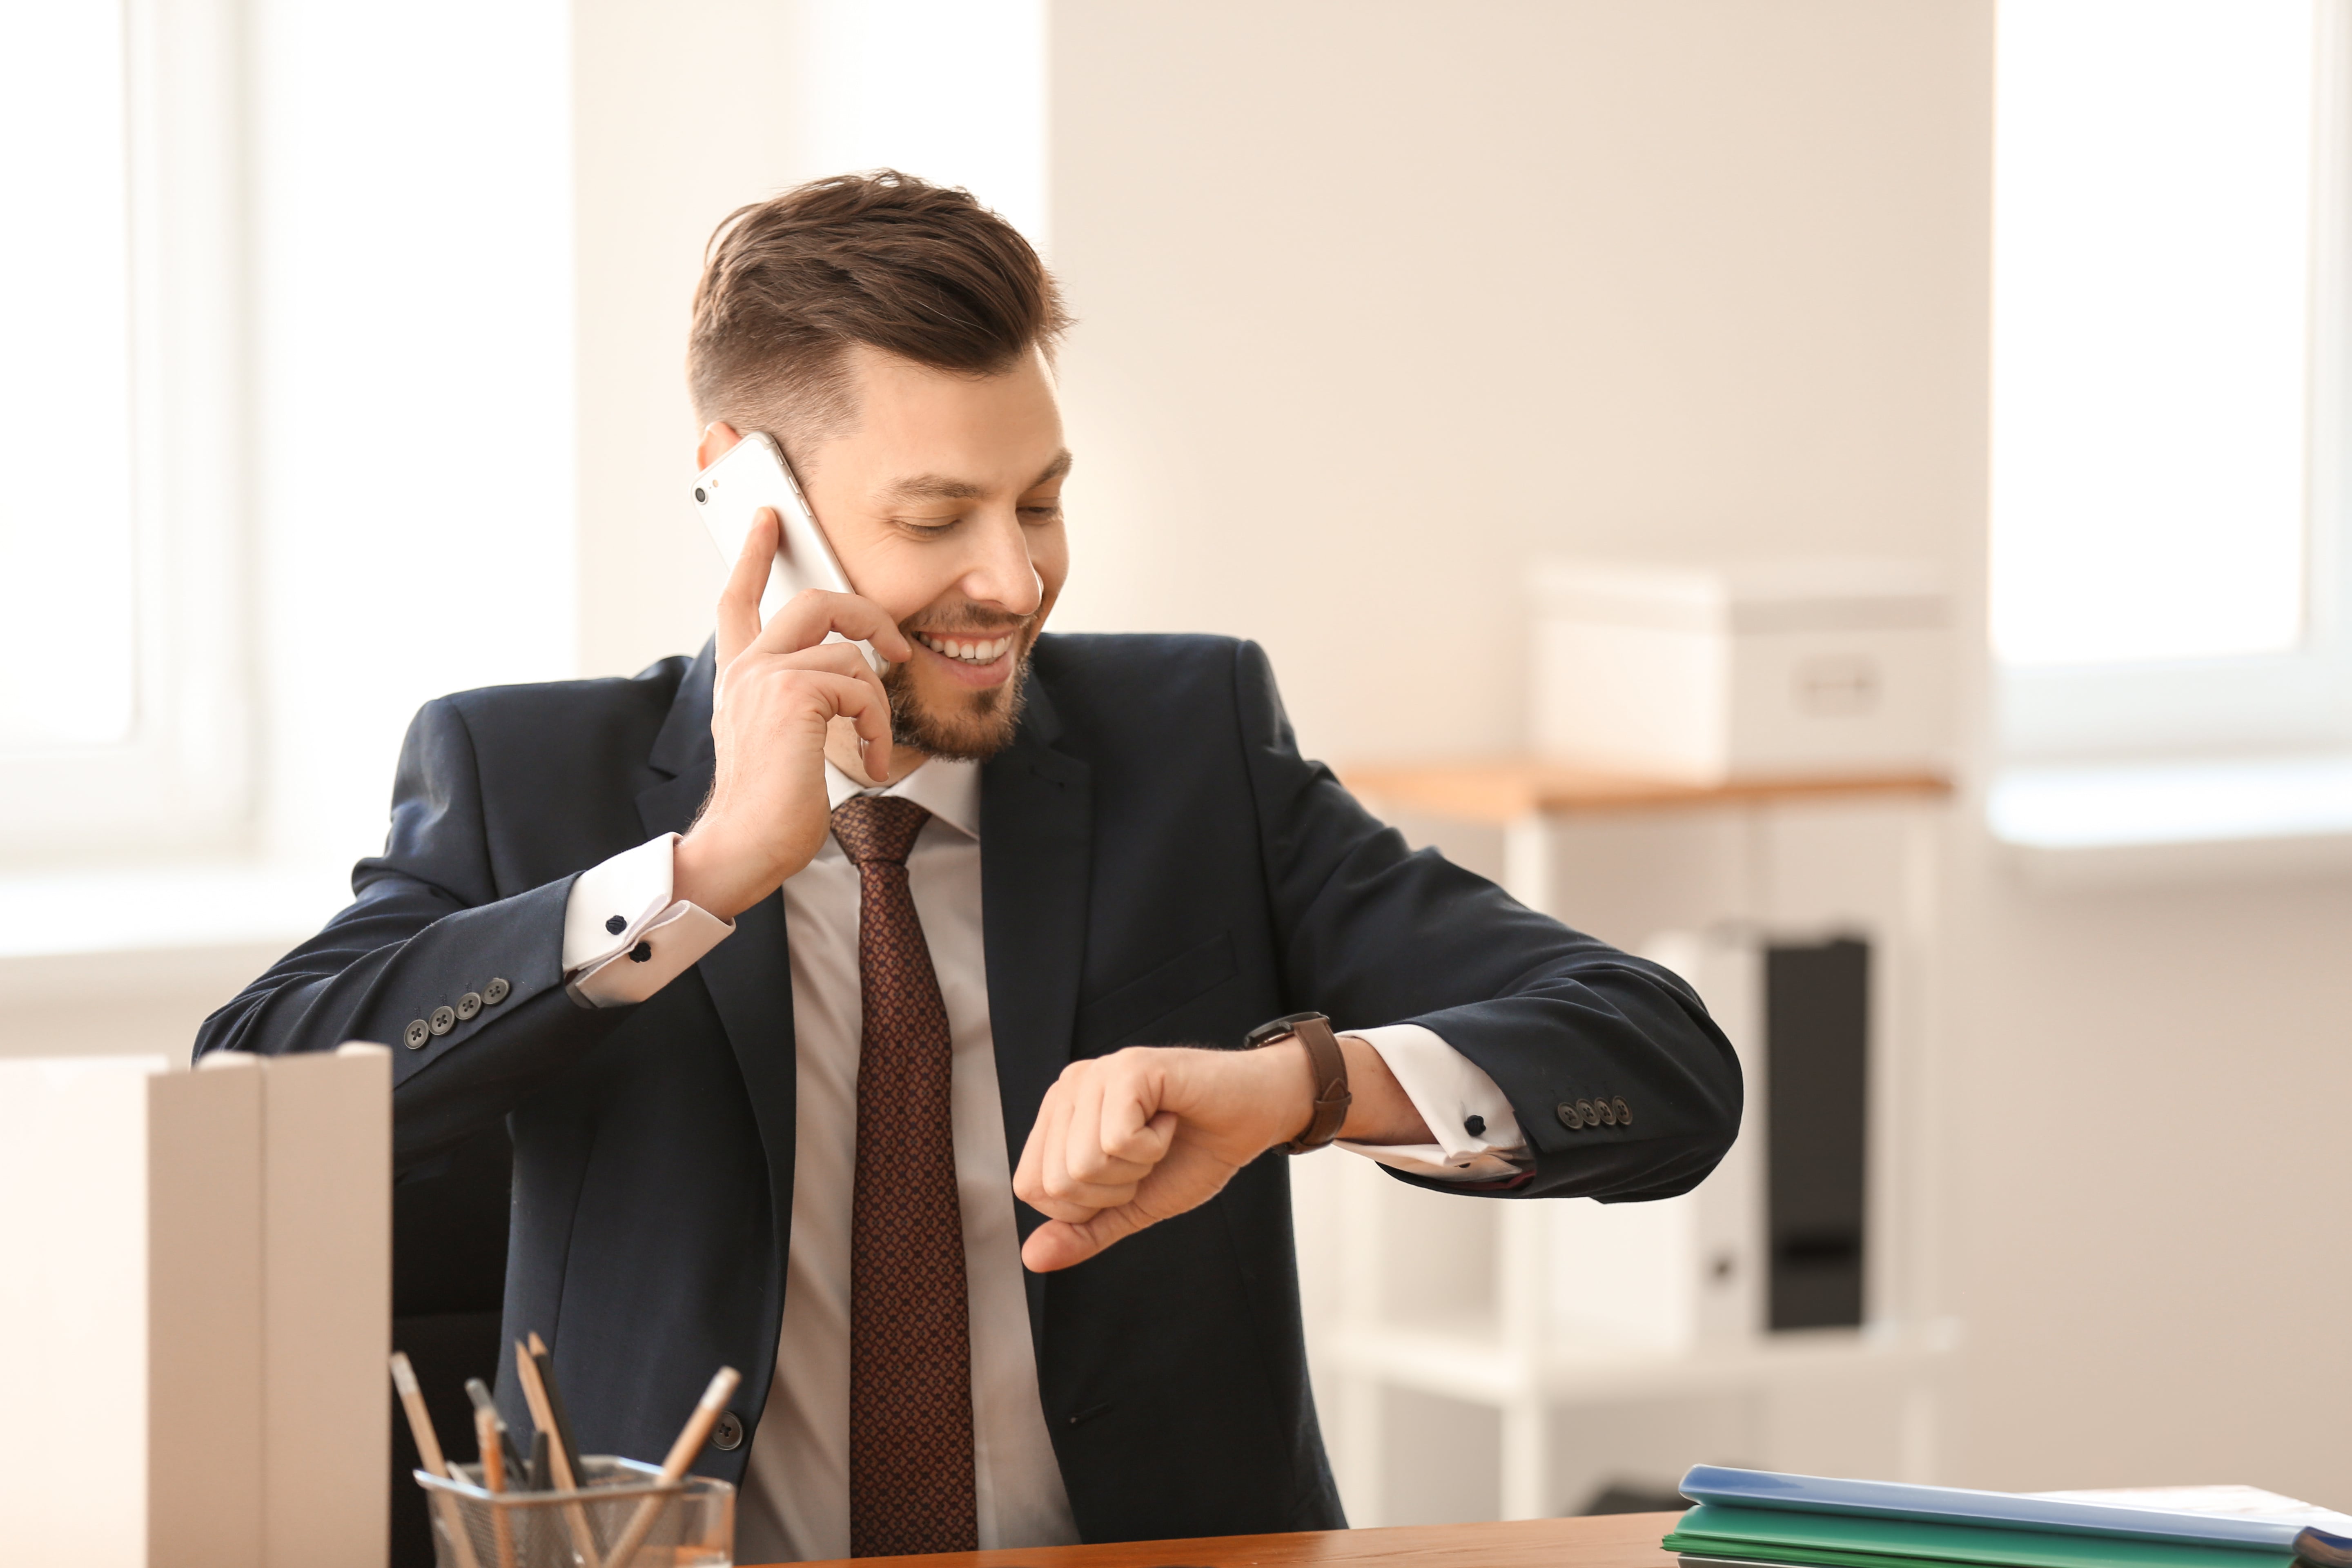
<point x="1772" y="671"/>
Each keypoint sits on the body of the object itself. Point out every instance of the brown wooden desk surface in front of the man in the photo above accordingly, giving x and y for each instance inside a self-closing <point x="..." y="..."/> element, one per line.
<point x="1610" y="1541"/>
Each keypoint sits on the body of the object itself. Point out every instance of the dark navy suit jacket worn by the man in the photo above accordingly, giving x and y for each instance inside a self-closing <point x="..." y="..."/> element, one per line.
<point x="1158" y="869"/>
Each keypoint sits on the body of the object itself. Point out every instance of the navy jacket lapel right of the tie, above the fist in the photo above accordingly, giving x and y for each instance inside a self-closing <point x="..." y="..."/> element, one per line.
<point x="1036" y="859"/>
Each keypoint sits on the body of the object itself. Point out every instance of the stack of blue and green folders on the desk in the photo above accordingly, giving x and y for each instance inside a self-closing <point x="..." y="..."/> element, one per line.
<point x="1763" y="1520"/>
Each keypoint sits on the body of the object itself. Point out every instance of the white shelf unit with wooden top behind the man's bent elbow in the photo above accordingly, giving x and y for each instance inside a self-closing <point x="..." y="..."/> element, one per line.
<point x="1485" y="1306"/>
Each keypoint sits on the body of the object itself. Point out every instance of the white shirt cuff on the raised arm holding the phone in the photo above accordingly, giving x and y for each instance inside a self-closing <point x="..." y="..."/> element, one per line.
<point x="627" y="937"/>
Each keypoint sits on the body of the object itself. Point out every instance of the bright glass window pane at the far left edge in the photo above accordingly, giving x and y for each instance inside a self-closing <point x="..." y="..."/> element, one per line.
<point x="69" y="605"/>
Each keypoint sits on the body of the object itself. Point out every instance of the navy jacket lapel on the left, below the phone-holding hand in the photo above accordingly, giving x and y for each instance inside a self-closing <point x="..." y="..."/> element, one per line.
<point x="751" y="974"/>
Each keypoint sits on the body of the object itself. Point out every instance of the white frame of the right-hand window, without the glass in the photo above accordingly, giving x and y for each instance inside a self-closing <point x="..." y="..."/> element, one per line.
<point x="2297" y="702"/>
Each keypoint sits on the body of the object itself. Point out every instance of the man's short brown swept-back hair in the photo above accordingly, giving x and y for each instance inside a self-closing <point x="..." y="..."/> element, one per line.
<point x="883" y="260"/>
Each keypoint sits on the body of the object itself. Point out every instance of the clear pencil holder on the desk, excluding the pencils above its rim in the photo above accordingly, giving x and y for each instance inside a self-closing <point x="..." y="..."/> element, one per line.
<point x="624" y="1515"/>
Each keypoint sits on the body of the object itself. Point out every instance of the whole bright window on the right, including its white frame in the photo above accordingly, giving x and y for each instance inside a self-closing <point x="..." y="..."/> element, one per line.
<point x="2167" y="377"/>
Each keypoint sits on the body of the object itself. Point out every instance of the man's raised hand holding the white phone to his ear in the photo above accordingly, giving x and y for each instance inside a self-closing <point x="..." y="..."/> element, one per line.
<point x="780" y="688"/>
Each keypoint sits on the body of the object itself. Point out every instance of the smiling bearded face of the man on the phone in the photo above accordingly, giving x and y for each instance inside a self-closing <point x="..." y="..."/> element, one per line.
<point x="942" y="500"/>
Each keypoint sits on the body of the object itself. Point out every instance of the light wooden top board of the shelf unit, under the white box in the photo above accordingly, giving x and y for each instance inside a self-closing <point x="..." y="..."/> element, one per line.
<point x="1511" y="789"/>
